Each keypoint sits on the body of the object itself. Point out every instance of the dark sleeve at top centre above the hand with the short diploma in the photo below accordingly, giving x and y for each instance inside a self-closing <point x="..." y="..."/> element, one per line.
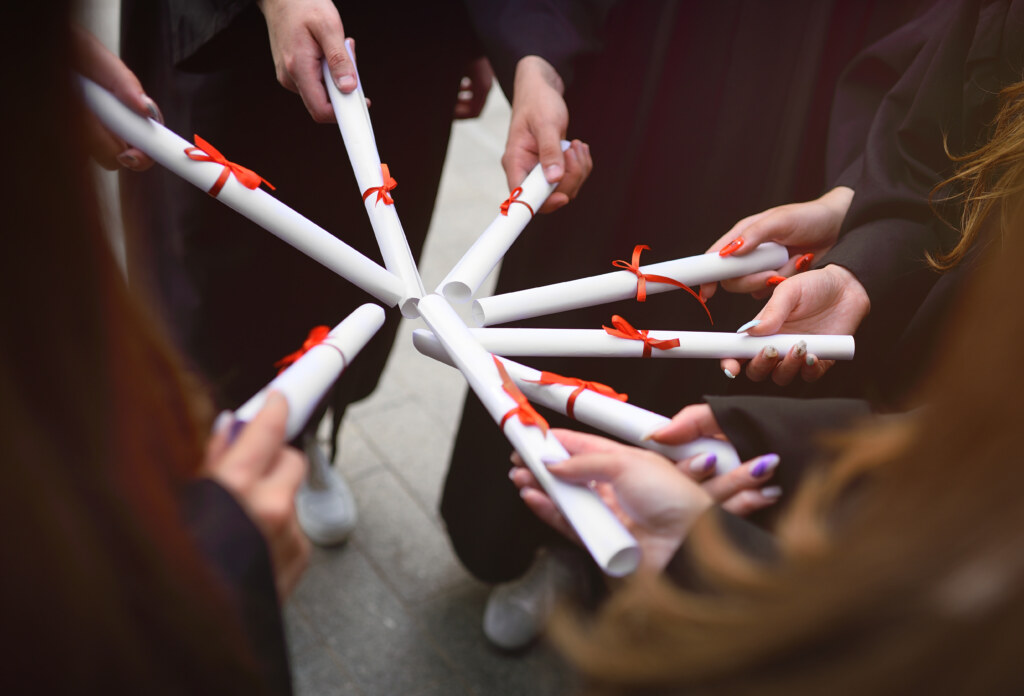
<point x="559" y="31"/>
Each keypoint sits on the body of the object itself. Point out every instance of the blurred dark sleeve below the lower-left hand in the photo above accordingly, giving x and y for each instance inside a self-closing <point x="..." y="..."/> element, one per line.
<point x="239" y="558"/>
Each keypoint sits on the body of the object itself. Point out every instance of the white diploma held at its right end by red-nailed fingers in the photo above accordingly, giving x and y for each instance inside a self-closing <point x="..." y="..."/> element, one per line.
<point x="622" y="285"/>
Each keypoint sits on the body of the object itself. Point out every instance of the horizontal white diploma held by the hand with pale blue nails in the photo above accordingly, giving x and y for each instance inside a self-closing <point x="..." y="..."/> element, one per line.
<point x="596" y="343"/>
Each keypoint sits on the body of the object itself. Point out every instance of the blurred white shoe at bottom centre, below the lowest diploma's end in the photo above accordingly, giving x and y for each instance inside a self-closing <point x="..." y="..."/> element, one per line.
<point x="519" y="612"/>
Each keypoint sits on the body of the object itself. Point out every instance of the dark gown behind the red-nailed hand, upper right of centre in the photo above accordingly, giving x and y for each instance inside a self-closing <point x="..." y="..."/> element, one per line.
<point x="698" y="115"/>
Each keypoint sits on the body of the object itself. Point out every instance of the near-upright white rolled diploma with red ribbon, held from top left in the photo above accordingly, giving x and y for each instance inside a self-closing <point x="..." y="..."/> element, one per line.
<point x="354" y="121"/>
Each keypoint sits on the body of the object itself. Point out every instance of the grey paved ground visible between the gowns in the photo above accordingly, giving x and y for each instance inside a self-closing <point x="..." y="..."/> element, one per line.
<point x="393" y="613"/>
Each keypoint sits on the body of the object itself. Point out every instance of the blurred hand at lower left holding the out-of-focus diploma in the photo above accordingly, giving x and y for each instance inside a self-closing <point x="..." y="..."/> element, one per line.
<point x="265" y="474"/>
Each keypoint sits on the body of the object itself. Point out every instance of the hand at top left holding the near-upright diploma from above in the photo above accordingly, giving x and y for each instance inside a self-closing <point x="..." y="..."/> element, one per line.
<point x="304" y="33"/>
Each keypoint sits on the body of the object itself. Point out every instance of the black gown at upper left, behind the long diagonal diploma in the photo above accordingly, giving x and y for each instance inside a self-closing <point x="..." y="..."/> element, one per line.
<point x="237" y="298"/>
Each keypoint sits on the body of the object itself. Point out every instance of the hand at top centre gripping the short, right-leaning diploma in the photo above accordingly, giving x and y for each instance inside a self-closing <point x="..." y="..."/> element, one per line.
<point x="540" y="119"/>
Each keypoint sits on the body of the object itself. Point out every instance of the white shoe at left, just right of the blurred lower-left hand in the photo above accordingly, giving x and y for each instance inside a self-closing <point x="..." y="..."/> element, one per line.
<point x="325" y="504"/>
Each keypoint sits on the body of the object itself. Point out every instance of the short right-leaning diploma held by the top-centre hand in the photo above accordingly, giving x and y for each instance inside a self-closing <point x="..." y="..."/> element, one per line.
<point x="491" y="247"/>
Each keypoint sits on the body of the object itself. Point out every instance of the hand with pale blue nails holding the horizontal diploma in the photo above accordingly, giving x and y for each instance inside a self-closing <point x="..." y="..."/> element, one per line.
<point x="829" y="300"/>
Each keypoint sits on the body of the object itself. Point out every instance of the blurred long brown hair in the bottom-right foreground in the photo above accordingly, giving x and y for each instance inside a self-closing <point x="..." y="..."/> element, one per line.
<point x="903" y="568"/>
